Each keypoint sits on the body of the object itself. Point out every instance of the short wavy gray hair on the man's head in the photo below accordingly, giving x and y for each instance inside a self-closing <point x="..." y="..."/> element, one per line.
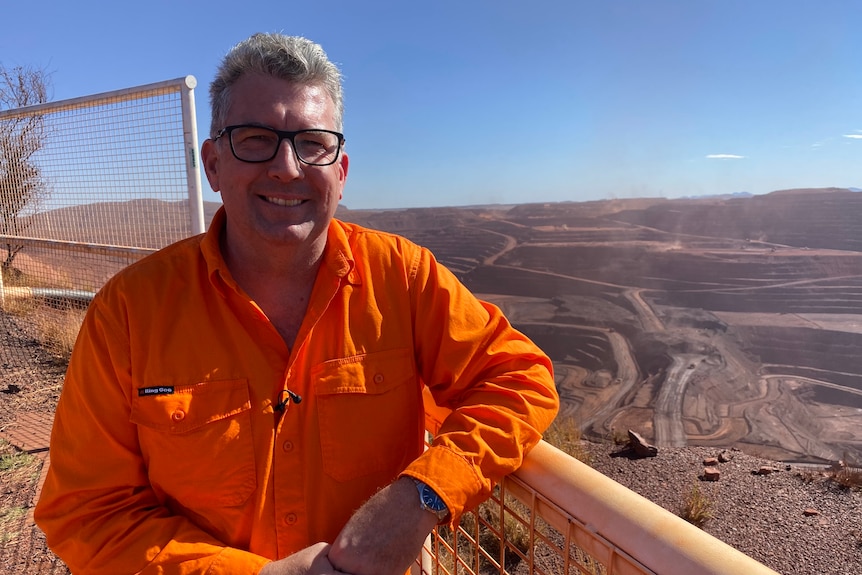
<point x="291" y="58"/>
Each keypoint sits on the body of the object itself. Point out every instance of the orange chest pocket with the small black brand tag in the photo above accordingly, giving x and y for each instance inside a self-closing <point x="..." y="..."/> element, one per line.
<point x="197" y="442"/>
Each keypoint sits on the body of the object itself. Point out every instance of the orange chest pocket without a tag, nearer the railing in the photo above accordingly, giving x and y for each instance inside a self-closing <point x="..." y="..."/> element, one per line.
<point x="371" y="415"/>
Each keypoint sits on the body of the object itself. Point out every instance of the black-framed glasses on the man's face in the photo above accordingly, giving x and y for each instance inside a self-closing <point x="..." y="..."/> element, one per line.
<point x="255" y="144"/>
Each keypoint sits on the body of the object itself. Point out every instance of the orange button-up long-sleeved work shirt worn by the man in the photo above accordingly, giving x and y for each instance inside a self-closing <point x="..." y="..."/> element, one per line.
<point x="167" y="452"/>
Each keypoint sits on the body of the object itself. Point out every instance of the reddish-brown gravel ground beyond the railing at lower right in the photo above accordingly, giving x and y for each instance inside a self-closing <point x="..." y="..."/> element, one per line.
<point x="764" y="516"/>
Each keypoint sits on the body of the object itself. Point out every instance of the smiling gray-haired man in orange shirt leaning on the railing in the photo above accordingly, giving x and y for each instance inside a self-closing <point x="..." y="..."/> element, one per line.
<point x="250" y="400"/>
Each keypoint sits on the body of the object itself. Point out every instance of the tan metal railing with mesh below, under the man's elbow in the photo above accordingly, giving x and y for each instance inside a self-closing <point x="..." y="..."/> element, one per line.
<point x="556" y="515"/>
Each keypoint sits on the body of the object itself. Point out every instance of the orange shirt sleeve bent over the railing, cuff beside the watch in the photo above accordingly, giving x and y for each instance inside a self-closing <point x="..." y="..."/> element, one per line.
<point x="498" y="385"/>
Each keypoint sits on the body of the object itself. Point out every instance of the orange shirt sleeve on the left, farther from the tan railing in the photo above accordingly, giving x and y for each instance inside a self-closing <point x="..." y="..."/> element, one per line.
<point x="97" y="508"/>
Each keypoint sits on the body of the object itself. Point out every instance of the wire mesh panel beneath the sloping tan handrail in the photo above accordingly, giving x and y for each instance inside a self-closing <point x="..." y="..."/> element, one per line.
<point x="519" y="529"/>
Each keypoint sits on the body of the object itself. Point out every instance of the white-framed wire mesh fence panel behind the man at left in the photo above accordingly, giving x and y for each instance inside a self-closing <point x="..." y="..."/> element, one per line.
<point x="88" y="186"/>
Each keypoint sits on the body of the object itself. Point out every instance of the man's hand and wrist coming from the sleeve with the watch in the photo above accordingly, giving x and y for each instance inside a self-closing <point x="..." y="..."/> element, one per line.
<point x="385" y="535"/>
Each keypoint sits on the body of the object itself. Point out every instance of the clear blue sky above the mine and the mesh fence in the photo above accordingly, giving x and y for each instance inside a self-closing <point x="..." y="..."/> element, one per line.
<point x="457" y="103"/>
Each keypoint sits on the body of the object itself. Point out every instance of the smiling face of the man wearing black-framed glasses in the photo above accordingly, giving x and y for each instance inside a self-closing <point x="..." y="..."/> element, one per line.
<point x="282" y="202"/>
